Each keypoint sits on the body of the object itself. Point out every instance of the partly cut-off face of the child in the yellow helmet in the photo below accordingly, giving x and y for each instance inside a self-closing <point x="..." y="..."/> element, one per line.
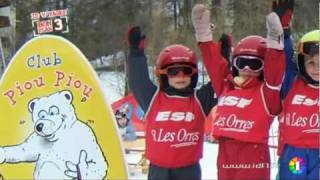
<point x="311" y="64"/>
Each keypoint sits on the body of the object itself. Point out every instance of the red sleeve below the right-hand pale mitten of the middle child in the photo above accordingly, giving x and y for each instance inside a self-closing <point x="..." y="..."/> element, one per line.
<point x="274" y="69"/>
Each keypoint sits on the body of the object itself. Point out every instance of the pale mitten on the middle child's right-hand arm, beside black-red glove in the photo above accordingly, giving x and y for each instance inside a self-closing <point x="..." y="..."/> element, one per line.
<point x="274" y="32"/>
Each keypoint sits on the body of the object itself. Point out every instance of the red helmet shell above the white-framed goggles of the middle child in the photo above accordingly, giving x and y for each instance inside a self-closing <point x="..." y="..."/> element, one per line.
<point x="251" y="46"/>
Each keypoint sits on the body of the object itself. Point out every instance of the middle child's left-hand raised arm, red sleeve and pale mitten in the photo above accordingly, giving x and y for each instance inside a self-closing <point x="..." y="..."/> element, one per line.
<point x="215" y="63"/>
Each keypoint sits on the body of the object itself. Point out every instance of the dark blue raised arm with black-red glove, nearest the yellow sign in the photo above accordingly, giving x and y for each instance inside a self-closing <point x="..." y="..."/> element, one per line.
<point x="137" y="72"/>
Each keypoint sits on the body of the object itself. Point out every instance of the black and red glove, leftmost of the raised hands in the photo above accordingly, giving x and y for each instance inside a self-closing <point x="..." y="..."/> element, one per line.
<point x="136" y="40"/>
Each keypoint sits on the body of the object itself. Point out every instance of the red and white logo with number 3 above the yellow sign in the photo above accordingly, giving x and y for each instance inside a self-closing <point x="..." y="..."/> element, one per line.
<point x="50" y="22"/>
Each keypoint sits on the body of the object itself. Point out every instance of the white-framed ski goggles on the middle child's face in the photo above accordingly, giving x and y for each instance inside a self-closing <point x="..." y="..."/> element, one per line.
<point x="254" y="64"/>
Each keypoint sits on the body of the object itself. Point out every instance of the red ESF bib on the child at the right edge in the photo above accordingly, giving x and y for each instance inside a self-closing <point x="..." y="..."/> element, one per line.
<point x="300" y="124"/>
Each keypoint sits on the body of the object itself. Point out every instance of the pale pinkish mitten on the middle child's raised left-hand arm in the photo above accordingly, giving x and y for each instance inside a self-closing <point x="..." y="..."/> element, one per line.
<point x="201" y="22"/>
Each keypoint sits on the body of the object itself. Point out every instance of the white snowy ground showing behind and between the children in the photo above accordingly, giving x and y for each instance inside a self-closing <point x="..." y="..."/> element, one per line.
<point x="112" y="83"/>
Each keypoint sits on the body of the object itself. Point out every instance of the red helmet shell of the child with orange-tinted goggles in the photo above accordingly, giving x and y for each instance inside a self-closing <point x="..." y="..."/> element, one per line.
<point x="176" y="54"/>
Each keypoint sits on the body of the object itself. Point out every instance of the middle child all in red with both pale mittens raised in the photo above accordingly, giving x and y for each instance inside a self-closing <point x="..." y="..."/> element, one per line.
<point x="248" y="96"/>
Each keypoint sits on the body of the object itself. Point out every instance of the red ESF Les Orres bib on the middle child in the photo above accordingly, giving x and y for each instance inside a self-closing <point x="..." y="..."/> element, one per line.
<point x="242" y="115"/>
